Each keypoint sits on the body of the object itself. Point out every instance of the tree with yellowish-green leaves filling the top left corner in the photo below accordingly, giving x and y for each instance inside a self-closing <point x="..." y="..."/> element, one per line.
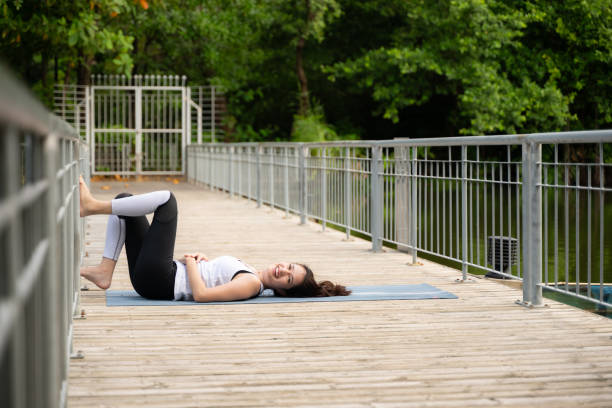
<point x="65" y="38"/>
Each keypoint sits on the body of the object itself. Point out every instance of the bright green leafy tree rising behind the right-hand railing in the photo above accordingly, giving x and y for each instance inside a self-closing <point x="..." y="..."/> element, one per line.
<point x="461" y="49"/>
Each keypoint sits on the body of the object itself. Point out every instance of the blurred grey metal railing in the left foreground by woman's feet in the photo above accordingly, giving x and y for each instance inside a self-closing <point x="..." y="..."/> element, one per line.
<point x="41" y="244"/>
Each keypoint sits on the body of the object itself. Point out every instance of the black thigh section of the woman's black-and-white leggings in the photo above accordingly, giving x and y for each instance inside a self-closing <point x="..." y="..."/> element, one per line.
<point x="150" y="250"/>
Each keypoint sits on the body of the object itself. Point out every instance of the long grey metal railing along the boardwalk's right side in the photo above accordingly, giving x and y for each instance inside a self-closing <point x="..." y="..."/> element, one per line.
<point x="485" y="204"/>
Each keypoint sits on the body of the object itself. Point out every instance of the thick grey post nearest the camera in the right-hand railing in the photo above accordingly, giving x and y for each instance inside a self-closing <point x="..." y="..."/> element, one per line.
<point x="532" y="224"/>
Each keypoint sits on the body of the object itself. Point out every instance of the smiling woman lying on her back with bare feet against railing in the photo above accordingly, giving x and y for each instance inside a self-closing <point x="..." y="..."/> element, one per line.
<point x="156" y="275"/>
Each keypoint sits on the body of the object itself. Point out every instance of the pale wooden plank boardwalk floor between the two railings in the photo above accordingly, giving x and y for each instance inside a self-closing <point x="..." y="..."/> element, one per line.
<point x="478" y="350"/>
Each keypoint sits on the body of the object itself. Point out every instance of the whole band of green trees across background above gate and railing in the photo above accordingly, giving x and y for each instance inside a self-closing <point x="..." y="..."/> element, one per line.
<point x="379" y="68"/>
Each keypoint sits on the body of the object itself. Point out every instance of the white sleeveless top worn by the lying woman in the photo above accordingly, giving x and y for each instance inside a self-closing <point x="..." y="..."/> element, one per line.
<point x="216" y="272"/>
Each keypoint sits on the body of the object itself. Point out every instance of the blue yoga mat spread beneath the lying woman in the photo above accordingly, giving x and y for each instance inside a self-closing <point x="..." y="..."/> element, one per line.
<point x="360" y="293"/>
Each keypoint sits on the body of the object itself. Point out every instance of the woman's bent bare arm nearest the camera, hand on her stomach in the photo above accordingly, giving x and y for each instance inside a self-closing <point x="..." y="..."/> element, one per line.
<point x="242" y="287"/>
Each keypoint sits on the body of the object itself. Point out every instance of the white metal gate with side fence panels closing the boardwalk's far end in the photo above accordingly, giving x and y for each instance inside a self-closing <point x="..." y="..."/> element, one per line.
<point x="141" y="125"/>
